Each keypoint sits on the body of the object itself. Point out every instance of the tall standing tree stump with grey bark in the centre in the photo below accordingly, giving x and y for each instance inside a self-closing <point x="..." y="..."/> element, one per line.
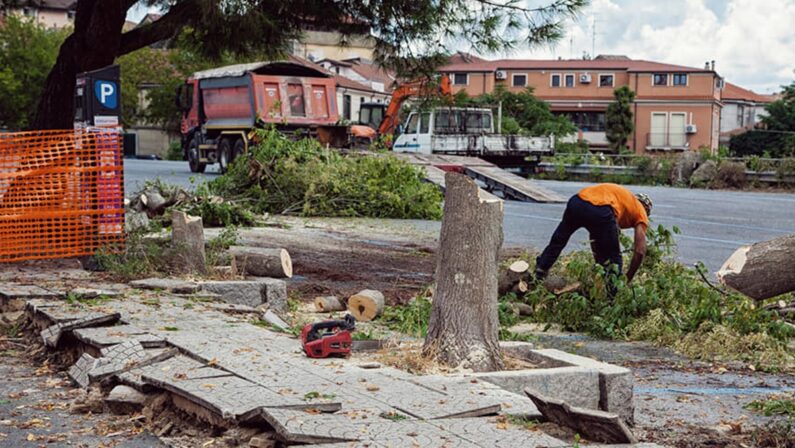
<point x="464" y="326"/>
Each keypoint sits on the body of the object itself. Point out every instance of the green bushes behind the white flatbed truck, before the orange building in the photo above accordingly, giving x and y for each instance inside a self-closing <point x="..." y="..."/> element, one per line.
<point x="522" y="113"/>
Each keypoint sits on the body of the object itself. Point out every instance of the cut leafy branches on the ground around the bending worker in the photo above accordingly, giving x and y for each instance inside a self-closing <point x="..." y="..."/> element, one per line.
<point x="668" y="304"/>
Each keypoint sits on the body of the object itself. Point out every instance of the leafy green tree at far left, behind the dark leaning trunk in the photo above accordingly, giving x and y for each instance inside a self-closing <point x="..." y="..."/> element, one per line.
<point x="27" y="53"/>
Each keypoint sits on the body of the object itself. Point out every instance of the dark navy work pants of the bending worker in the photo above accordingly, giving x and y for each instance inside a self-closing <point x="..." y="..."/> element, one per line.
<point x="600" y="221"/>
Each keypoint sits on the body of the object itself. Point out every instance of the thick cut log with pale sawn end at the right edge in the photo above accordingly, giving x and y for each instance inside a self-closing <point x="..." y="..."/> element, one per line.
<point x="762" y="270"/>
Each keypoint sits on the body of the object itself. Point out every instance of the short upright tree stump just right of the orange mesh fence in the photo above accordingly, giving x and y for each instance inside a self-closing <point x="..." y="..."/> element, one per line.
<point x="187" y="237"/>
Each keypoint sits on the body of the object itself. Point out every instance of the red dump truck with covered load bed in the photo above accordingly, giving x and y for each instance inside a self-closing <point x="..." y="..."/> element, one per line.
<point x="222" y="105"/>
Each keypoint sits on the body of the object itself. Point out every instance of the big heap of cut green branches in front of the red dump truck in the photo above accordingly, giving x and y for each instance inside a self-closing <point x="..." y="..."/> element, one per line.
<point x="283" y="176"/>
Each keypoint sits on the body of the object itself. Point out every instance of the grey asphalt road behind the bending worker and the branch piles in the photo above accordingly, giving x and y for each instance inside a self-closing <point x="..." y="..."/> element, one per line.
<point x="713" y="223"/>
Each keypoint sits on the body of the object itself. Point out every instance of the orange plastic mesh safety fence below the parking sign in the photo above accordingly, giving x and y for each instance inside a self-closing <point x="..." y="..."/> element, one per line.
<point x="61" y="193"/>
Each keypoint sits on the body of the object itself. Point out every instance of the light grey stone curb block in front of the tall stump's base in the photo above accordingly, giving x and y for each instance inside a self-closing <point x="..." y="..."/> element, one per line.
<point x="578" y="386"/>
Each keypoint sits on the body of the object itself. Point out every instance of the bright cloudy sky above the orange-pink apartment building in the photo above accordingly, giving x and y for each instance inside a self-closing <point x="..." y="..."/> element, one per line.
<point x="751" y="41"/>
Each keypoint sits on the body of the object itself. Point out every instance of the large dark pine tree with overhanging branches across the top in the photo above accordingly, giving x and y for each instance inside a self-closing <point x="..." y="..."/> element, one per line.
<point x="411" y="36"/>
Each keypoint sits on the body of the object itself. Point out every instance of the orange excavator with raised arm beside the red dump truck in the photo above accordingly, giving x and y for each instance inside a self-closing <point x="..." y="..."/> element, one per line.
<point x="374" y="120"/>
